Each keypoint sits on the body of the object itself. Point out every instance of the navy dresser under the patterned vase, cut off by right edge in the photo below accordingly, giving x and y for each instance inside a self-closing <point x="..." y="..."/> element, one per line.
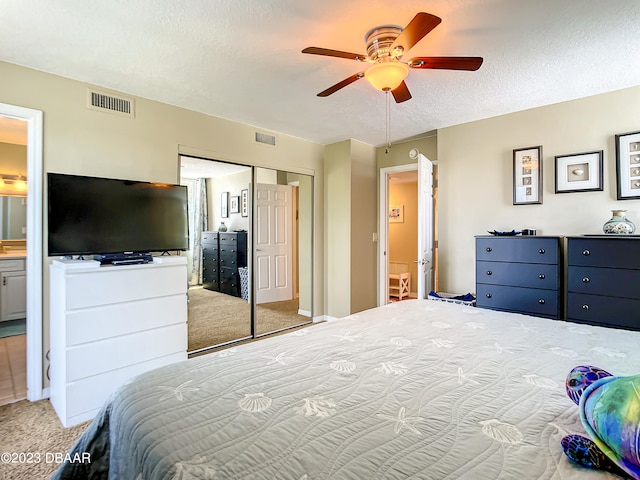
<point x="603" y="280"/>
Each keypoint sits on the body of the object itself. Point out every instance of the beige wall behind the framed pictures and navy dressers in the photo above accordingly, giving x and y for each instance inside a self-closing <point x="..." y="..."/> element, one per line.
<point x="475" y="173"/>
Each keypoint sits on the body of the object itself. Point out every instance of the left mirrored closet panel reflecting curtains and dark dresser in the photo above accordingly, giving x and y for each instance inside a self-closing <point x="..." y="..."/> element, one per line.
<point x="219" y="234"/>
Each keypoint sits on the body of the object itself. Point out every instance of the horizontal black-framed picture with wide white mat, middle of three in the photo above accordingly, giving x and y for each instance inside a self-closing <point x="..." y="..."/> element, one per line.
<point x="579" y="172"/>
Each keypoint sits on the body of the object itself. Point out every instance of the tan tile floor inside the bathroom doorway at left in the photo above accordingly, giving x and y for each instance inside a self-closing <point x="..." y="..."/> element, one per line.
<point x="13" y="369"/>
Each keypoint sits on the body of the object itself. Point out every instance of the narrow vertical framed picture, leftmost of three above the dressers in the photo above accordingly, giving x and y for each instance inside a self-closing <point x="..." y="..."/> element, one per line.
<point x="527" y="175"/>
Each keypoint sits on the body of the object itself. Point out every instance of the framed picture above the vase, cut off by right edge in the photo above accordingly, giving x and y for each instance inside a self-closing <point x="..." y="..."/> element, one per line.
<point x="628" y="165"/>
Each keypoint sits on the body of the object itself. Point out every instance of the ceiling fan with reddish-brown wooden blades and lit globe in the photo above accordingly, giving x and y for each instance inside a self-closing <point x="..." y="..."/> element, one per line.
<point x="386" y="44"/>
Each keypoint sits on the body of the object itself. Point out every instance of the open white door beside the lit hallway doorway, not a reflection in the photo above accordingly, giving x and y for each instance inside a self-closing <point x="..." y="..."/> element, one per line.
<point x="425" y="226"/>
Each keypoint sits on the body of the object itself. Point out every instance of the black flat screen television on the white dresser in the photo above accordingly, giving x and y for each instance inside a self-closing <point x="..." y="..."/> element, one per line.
<point x="90" y="215"/>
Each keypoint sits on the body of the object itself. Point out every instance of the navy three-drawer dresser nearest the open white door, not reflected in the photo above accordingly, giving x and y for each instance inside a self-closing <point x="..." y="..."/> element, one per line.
<point x="520" y="274"/>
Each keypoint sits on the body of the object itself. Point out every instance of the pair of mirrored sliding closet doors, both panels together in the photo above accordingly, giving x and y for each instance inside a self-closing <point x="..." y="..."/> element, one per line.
<point x="250" y="258"/>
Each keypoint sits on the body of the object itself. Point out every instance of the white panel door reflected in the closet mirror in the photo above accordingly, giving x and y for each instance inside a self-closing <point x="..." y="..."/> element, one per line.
<point x="273" y="249"/>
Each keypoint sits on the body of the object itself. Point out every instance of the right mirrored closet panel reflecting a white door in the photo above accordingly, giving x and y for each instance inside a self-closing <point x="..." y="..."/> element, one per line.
<point x="283" y="250"/>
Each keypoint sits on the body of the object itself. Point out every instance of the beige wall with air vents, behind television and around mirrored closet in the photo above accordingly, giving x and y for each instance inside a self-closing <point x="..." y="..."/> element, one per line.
<point x="86" y="142"/>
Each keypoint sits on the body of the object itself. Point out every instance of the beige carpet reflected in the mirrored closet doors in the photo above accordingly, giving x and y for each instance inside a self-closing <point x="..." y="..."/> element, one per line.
<point x="216" y="318"/>
